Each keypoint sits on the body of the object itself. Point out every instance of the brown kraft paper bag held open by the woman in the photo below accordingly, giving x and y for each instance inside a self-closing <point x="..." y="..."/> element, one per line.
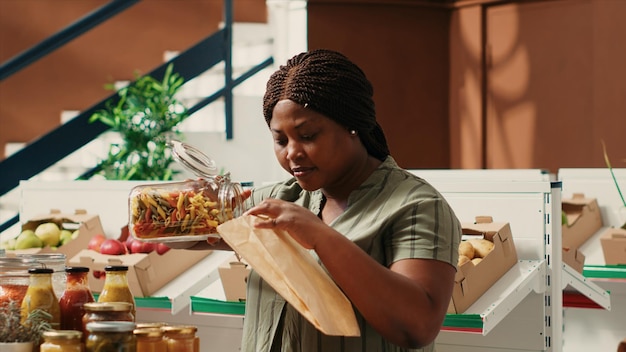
<point x="294" y="273"/>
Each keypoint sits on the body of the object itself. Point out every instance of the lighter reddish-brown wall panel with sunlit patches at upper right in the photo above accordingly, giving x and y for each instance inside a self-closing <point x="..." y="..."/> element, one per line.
<point x="555" y="72"/>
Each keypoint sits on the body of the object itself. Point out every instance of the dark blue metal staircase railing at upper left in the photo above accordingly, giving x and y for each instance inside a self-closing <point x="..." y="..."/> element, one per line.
<point x="44" y="152"/>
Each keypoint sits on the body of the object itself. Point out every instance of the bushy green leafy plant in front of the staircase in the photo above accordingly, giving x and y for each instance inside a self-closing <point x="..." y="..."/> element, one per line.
<point x="146" y="116"/>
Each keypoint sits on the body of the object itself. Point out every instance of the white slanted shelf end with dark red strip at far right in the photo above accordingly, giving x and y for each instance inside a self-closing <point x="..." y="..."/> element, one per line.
<point x="581" y="292"/>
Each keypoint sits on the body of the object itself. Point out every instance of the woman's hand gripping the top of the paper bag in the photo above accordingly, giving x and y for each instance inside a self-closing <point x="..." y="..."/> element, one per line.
<point x="302" y="224"/>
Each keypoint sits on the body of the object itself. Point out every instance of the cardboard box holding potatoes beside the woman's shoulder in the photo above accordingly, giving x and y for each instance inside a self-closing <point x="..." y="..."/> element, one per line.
<point x="472" y="281"/>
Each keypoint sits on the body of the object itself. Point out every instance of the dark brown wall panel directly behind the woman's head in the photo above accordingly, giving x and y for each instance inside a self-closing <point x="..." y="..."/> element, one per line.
<point x="404" y="52"/>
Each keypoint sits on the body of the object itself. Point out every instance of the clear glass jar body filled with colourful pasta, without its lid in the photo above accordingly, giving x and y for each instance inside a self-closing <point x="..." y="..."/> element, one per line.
<point x="159" y="212"/>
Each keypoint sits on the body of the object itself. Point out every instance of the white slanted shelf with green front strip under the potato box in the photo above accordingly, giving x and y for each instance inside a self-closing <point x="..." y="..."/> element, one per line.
<point x="525" y="277"/>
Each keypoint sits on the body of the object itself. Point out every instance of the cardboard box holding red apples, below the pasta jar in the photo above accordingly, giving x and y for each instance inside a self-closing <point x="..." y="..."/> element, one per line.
<point x="147" y="272"/>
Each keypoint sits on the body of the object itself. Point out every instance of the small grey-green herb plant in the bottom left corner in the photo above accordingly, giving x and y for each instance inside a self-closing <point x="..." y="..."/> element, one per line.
<point x="13" y="329"/>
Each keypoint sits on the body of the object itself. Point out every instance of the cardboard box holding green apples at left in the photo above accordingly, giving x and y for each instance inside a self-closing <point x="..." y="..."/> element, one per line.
<point x="88" y="225"/>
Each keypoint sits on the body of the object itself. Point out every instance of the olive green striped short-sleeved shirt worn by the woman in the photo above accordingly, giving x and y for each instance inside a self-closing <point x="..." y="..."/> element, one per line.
<point x="393" y="215"/>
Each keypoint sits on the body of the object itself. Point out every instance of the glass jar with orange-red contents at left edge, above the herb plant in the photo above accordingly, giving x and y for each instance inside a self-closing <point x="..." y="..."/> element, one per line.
<point x="14" y="279"/>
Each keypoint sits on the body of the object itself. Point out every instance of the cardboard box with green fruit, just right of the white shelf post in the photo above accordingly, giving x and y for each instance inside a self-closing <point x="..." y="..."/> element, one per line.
<point x="583" y="220"/>
